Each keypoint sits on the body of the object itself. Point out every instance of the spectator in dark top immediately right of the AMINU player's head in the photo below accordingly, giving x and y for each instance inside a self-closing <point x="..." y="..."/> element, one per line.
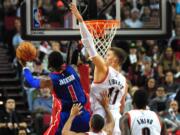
<point x="159" y="103"/>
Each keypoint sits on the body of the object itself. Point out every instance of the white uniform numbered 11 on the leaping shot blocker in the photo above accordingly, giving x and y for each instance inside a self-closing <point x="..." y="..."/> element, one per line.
<point x="115" y="83"/>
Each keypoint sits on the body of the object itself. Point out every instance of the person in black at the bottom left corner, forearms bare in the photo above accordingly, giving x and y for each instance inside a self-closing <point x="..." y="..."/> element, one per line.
<point x="10" y="120"/>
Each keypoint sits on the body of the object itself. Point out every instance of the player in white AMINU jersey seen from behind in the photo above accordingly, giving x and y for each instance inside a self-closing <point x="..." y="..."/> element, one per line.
<point x="141" y="121"/>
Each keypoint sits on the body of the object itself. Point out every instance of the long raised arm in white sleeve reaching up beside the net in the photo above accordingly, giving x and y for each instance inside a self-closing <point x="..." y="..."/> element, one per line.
<point x="87" y="40"/>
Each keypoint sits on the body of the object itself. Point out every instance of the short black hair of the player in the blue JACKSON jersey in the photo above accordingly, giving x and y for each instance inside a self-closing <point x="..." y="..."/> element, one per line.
<point x="55" y="60"/>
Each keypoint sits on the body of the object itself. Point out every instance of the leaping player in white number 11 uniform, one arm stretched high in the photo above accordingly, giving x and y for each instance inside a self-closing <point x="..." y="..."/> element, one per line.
<point x="106" y="75"/>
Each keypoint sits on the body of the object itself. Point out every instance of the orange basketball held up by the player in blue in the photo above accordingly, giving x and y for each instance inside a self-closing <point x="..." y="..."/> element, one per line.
<point x="26" y="51"/>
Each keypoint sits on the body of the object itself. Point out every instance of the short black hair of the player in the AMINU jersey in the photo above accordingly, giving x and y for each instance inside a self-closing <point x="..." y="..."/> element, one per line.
<point x="140" y="99"/>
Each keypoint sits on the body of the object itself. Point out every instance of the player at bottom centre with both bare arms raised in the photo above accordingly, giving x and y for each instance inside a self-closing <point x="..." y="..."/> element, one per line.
<point x="97" y="123"/>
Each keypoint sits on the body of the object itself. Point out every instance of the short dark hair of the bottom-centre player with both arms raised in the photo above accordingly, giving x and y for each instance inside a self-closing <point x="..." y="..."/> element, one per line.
<point x="97" y="123"/>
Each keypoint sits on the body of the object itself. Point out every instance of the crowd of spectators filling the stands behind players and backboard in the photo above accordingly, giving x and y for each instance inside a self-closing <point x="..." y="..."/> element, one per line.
<point x="152" y="65"/>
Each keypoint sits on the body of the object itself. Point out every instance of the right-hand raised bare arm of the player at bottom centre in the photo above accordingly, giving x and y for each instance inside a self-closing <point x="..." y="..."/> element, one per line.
<point x="110" y="123"/>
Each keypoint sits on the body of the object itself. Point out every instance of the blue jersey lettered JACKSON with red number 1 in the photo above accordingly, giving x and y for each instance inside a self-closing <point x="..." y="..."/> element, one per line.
<point x="68" y="88"/>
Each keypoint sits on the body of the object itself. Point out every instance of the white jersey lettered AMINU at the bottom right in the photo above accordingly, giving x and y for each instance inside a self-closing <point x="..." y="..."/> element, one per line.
<point x="144" y="122"/>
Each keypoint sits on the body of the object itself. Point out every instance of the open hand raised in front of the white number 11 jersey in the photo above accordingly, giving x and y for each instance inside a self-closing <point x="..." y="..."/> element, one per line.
<point x="105" y="99"/>
